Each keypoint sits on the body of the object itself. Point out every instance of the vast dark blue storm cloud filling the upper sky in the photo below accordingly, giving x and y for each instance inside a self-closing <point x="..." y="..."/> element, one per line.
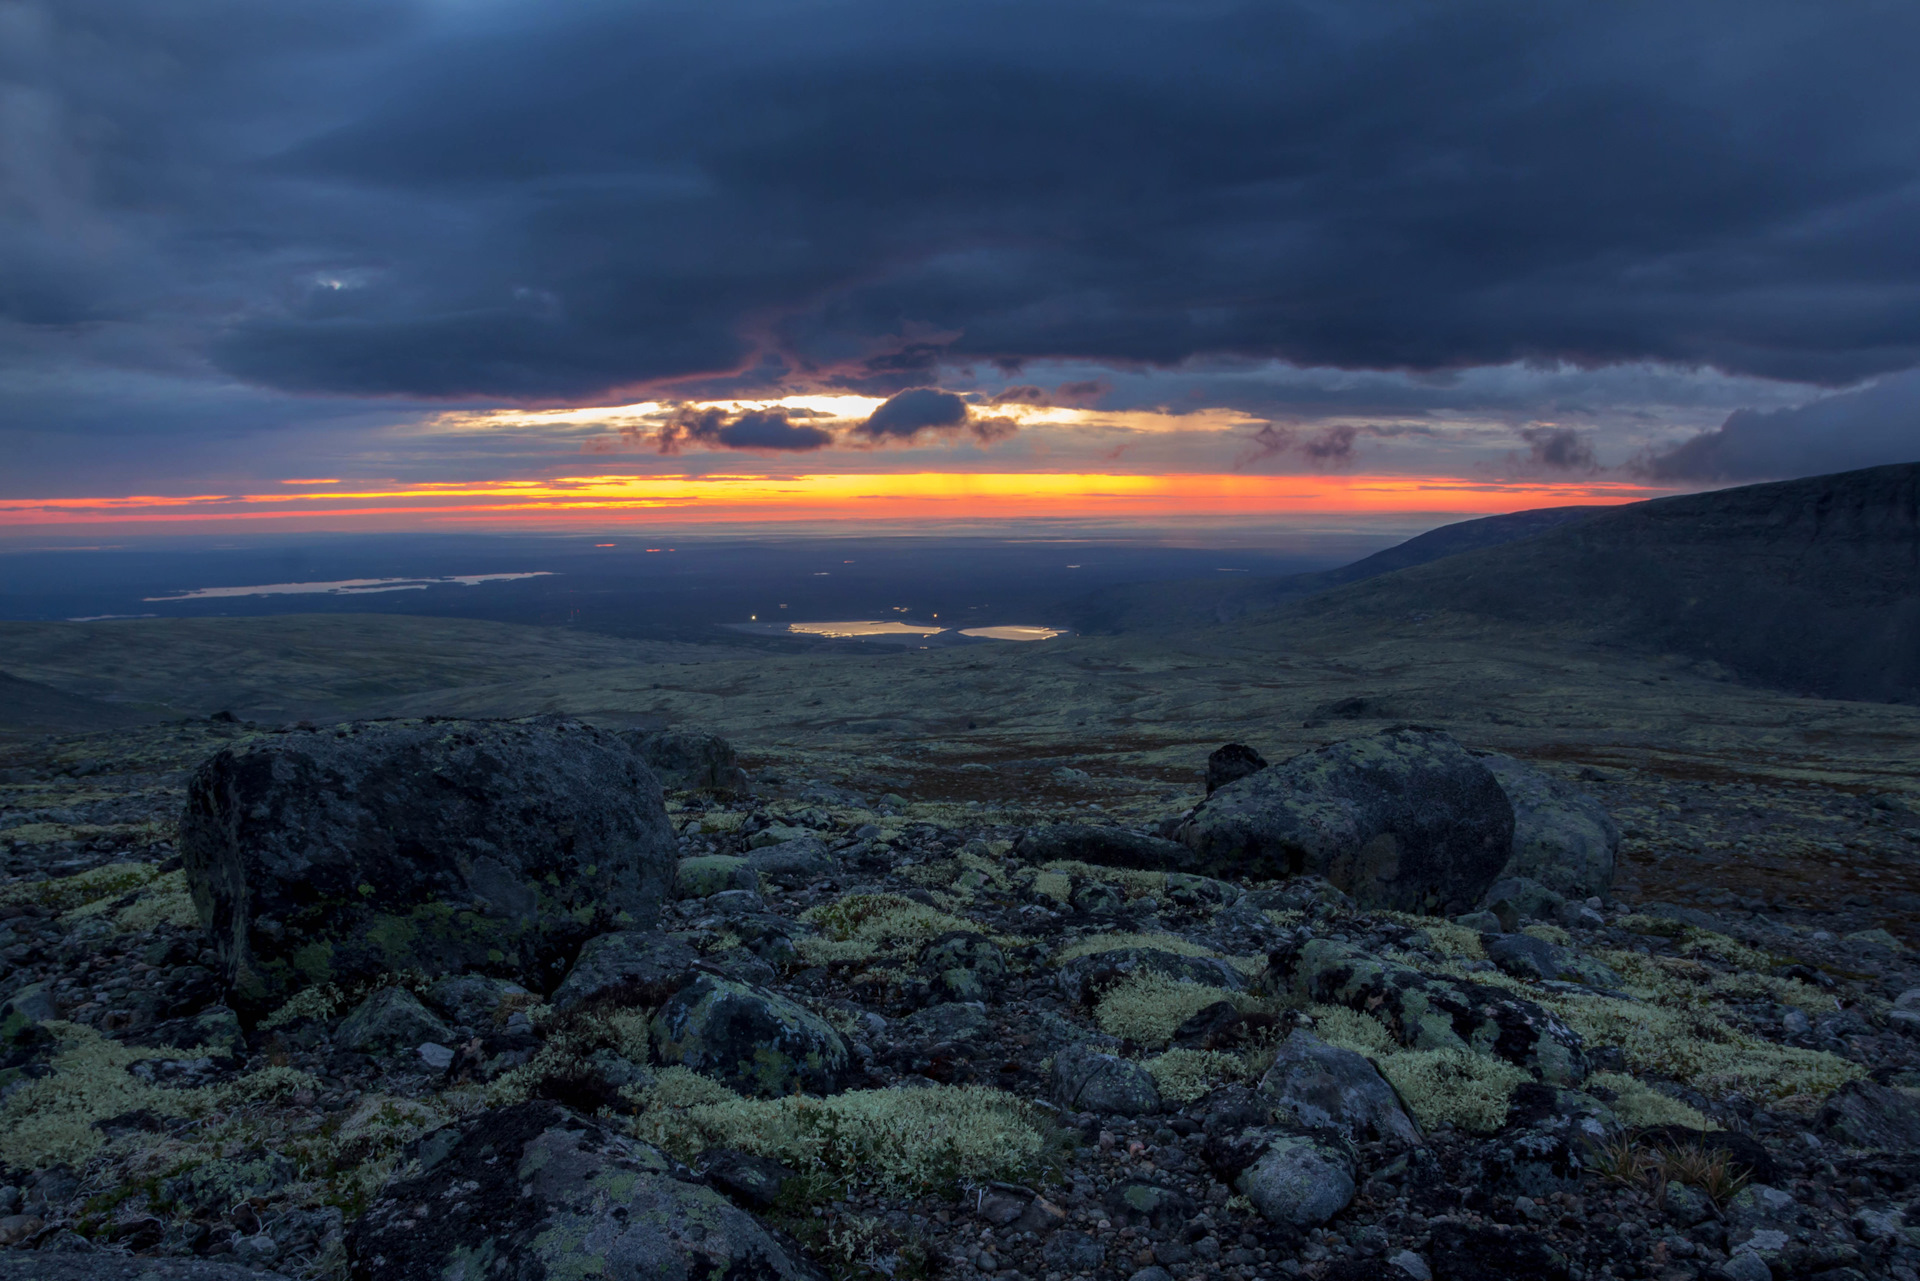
<point x="567" y="203"/>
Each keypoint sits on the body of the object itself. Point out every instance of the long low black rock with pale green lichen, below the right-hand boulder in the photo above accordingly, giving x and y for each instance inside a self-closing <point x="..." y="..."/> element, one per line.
<point x="1431" y="1013"/>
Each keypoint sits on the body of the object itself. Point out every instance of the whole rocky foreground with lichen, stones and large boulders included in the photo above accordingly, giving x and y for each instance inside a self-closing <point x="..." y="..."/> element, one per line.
<point x="481" y="1000"/>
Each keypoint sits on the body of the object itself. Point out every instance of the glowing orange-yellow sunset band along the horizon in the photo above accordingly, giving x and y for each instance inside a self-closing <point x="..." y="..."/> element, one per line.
<point x="838" y="496"/>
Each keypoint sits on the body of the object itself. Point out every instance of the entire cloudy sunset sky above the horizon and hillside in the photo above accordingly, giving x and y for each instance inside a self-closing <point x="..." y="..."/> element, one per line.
<point x="425" y="264"/>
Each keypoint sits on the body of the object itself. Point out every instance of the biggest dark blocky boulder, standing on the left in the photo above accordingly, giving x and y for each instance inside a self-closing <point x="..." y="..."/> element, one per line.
<point x="444" y="848"/>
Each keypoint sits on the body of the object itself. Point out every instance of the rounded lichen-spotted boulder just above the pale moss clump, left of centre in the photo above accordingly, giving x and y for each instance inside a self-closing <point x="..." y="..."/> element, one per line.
<point x="750" y="1040"/>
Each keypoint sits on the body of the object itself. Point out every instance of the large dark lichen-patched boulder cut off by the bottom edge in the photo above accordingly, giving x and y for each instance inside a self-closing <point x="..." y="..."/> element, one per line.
<point x="540" y="1192"/>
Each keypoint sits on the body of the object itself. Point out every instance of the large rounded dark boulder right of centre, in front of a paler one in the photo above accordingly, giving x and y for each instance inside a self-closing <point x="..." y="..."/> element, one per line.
<point x="1406" y="819"/>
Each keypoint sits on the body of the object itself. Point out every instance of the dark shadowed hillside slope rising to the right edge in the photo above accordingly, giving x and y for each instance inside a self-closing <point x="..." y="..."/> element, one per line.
<point x="1802" y="585"/>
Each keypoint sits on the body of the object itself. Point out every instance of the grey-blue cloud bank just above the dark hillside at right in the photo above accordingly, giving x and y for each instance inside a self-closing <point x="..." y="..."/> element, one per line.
<point x="1838" y="433"/>
